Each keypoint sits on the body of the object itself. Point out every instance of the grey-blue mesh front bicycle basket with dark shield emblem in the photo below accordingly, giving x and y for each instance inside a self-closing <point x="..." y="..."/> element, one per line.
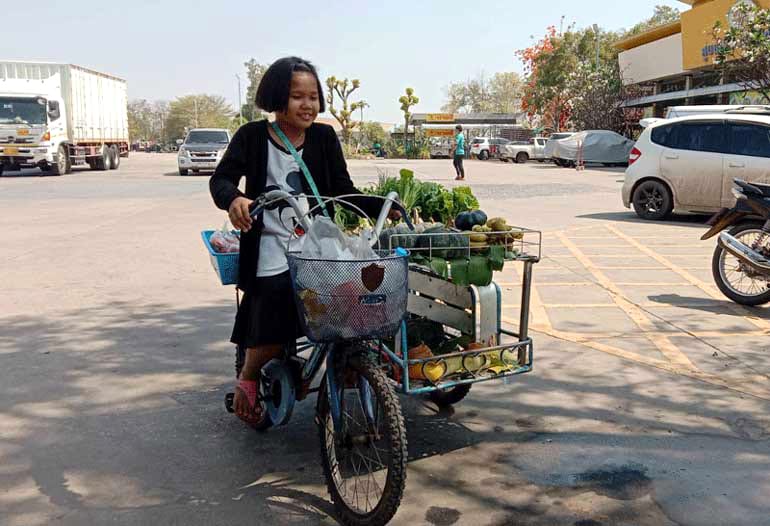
<point x="350" y="300"/>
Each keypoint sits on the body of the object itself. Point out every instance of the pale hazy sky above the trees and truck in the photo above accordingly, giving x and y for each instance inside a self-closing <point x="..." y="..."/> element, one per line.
<point x="165" y="49"/>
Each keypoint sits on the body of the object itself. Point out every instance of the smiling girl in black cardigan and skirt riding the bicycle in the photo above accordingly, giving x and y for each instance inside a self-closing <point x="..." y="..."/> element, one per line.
<point x="267" y="318"/>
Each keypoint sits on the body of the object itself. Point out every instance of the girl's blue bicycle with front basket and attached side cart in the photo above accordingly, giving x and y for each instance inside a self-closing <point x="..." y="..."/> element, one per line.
<point x="361" y="337"/>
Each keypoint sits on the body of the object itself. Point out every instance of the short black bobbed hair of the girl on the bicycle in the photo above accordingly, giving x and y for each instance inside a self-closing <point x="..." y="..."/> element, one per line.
<point x="273" y="91"/>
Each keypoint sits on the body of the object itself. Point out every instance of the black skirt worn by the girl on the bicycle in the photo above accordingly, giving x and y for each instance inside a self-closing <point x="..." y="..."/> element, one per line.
<point x="269" y="315"/>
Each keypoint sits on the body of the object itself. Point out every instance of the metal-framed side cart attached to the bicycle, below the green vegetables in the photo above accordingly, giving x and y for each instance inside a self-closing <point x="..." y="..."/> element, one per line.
<point x="469" y="316"/>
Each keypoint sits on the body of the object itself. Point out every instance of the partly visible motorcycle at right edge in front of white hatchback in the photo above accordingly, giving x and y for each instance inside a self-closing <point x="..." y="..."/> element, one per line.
<point x="741" y="261"/>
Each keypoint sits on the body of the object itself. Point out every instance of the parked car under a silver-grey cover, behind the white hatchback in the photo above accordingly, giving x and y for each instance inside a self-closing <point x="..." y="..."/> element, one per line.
<point x="593" y="146"/>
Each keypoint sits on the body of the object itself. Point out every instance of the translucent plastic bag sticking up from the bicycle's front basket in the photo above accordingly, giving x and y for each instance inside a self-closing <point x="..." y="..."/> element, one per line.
<point x="325" y="240"/>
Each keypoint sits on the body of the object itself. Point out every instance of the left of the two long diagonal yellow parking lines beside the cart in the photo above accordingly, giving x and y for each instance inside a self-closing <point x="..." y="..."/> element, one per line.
<point x="637" y="315"/>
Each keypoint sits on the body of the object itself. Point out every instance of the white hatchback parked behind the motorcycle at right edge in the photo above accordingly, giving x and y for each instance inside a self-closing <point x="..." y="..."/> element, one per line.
<point x="688" y="164"/>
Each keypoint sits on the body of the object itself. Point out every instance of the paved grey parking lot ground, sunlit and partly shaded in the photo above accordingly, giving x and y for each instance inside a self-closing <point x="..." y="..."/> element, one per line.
<point x="648" y="404"/>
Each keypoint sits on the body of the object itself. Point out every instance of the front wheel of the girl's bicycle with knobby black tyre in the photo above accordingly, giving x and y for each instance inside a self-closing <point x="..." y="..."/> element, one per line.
<point x="364" y="459"/>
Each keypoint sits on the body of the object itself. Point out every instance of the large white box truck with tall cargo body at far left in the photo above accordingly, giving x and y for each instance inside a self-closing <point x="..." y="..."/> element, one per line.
<point x="54" y="116"/>
